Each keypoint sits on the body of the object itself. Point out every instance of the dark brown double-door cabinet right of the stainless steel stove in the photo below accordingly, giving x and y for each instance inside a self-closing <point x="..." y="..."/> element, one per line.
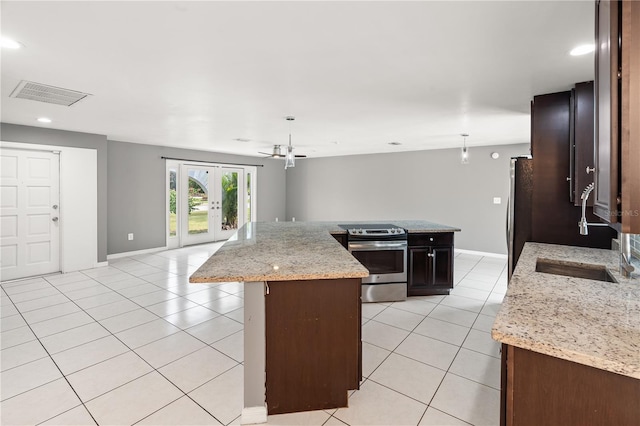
<point x="430" y="264"/>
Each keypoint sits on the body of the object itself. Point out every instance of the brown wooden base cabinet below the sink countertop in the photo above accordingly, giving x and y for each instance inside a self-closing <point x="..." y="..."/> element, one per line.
<point x="540" y="390"/>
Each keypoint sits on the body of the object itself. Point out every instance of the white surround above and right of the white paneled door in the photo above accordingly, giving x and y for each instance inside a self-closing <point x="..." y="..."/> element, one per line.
<point x="78" y="203"/>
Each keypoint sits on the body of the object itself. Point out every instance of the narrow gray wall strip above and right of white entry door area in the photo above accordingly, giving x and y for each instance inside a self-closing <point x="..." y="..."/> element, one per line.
<point x="42" y="136"/>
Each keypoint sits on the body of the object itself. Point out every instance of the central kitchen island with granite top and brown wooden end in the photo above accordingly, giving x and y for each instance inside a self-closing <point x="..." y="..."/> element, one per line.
<point x="302" y="315"/>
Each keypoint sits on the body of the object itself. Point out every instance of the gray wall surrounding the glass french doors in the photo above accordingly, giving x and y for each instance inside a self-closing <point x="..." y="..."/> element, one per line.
<point x="137" y="191"/>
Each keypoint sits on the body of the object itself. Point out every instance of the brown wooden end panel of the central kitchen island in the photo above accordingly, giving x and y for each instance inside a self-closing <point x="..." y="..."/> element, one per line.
<point x="312" y="343"/>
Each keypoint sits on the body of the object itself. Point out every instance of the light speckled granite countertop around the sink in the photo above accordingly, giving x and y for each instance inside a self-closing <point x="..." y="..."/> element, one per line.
<point x="581" y="320"/>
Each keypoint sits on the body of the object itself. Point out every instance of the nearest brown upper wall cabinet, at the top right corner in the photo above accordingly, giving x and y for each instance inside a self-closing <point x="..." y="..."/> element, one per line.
<point x="617" y="114"/>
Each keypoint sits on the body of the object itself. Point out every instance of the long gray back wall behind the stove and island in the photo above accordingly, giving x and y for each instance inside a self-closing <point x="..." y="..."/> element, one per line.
<point x="428" y="185"/>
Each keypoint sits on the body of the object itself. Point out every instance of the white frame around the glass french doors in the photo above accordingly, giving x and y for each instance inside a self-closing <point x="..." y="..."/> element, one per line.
<point x="177" y="241"/>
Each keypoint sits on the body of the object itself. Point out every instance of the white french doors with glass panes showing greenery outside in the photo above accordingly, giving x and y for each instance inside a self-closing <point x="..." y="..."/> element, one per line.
<point x="207" y="202"/>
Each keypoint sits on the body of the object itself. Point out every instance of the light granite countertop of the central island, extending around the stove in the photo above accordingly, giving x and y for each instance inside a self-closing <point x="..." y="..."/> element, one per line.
<point x="289" y="251"/>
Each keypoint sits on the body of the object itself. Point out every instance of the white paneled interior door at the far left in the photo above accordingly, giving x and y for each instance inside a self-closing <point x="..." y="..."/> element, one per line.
<point x="29" y="213"/>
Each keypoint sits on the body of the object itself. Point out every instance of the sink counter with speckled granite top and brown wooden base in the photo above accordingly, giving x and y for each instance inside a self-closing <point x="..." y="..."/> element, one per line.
<point x="571" y="346"/>
